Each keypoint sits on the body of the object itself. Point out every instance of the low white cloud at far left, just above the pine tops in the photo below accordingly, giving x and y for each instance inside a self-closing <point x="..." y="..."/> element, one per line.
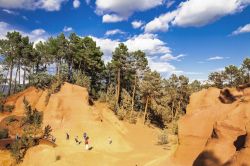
<point x="35" y="35"/>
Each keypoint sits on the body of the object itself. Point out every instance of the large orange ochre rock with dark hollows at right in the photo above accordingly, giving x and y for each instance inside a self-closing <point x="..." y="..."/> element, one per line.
<point x="216" y="129"/>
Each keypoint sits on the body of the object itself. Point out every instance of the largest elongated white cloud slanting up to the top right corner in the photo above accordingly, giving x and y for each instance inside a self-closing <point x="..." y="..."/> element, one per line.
<point x="196" y="13"/>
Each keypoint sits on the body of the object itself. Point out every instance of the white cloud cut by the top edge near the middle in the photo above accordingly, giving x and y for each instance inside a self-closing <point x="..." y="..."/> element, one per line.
<point x="124" y="8"/>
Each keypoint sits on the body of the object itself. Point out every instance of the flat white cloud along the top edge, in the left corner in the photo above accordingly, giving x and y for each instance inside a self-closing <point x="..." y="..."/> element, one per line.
<point x="49" y="5"/>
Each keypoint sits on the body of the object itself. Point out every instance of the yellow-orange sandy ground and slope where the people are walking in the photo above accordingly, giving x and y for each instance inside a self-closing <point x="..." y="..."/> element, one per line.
<point x="69" y="111"/>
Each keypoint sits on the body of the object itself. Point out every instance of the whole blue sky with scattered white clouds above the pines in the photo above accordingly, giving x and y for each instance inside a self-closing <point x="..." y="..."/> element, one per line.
<point x="190" y="37"/>
